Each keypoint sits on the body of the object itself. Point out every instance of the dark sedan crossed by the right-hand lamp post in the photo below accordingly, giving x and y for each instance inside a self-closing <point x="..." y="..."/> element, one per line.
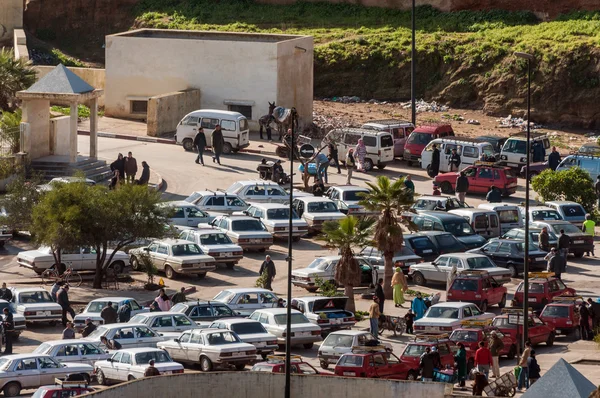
<point x="509" y="254"/>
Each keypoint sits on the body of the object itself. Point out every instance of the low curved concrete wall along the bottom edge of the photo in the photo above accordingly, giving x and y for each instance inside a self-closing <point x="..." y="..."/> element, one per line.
<point x="268" y="385"/>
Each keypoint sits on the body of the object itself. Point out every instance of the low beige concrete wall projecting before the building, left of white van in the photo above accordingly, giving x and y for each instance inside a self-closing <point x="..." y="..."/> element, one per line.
<point x="165" y="111"/>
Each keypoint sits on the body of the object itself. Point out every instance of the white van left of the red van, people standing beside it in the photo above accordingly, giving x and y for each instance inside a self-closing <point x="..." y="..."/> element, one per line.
<point x="380" y="145"/>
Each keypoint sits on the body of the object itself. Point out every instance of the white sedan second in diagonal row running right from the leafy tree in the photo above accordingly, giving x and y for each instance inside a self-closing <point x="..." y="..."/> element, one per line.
<point x="215" y="244"/>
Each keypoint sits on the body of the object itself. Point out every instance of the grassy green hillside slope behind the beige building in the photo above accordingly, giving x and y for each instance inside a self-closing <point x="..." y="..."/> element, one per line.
<point x="464" y="58"/>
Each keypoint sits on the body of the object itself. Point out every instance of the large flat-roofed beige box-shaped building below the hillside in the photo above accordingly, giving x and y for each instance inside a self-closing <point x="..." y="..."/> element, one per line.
<point x="232" y="71"/>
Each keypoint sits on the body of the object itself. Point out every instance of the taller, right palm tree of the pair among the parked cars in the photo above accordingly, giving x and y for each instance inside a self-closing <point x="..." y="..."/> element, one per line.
<point x="389" y="200"/>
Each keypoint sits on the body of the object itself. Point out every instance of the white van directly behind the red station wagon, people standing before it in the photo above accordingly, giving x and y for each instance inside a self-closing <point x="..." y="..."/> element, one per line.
<point x="469" y="149"/>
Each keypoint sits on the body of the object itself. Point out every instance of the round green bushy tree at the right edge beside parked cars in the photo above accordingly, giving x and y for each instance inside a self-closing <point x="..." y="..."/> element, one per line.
<point x="573" y="184"/>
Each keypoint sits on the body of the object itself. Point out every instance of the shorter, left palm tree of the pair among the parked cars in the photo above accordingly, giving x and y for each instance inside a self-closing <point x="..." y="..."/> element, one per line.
<point x="344" y="235"/>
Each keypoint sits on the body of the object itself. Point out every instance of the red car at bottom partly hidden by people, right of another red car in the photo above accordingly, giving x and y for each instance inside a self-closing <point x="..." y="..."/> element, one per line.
<point x="414" y="349"/>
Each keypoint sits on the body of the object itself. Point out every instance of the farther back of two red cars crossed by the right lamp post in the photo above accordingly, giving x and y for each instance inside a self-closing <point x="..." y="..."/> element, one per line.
<point x="543" y="286"/>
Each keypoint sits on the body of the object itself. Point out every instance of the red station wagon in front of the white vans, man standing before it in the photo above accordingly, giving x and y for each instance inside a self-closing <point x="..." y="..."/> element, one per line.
<point x="481" y="177"/>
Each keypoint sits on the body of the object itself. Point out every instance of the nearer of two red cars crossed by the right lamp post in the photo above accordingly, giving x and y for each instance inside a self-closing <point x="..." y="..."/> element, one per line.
<point x="510" y="323"/>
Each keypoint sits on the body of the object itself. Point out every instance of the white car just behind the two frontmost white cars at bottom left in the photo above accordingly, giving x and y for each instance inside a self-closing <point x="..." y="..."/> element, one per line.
<point x="73" y="350"/>
